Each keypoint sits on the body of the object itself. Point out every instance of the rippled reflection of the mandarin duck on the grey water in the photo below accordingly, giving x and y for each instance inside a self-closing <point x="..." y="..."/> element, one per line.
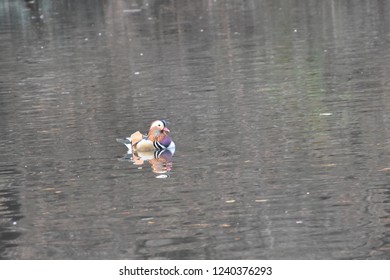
<point x="160" y="161"/>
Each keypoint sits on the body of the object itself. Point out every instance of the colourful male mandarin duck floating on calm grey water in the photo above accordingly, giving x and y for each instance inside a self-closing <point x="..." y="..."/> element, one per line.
<point x="156" y="139"/>
